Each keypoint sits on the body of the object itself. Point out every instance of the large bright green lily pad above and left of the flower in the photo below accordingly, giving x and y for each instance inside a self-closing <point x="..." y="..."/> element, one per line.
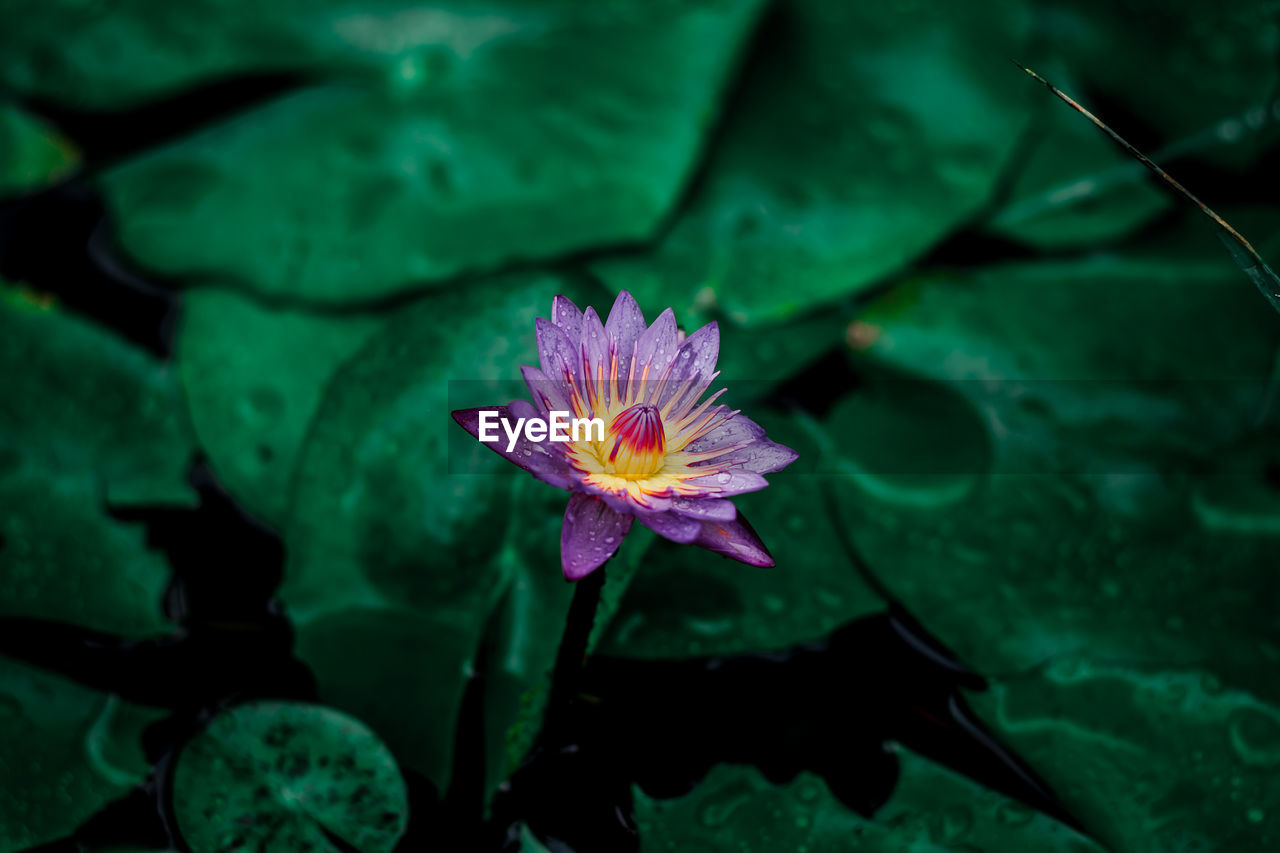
<point x="450" y="171"/>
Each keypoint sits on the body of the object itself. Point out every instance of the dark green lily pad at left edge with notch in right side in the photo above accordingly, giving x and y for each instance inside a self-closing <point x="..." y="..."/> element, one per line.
<point x="86" y="422"/>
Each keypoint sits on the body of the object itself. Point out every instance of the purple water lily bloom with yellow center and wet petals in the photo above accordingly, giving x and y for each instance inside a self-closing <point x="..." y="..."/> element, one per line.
<point x="665" y="455"/>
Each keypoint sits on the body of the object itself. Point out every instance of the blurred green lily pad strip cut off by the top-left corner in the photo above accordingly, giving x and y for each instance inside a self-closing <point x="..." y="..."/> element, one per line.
<point x="70" y="53"/>
